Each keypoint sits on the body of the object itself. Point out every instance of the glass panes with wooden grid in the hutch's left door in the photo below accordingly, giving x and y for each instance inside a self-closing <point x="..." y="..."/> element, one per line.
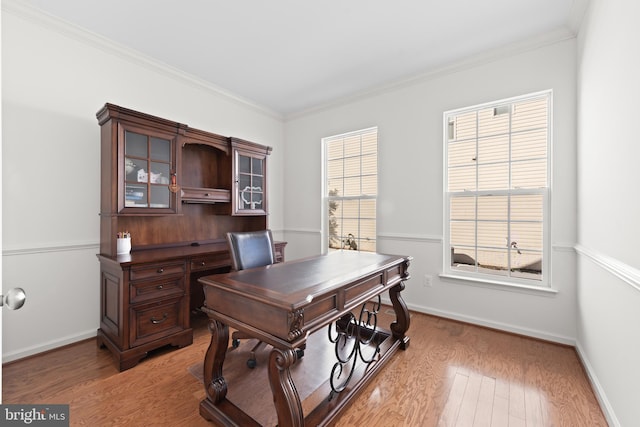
<point x="148" y="164"/>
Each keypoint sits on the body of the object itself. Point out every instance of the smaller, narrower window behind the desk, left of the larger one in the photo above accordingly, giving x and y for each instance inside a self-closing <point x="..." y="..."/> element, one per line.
<point x="351" y="188"/>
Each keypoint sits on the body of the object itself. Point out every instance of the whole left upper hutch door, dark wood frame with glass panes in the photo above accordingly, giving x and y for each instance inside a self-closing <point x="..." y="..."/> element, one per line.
<point x="147" y="160"/>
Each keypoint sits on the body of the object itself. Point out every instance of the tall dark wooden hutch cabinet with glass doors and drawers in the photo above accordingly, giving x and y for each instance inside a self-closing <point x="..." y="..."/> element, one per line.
<point x="176" y="191"/>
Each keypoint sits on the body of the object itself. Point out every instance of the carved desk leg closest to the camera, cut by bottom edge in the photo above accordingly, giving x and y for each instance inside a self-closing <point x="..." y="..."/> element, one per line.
<point x="285" y="395"/>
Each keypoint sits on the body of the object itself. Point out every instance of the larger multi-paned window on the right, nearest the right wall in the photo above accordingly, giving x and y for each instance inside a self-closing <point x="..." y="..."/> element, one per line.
<point x="497" y="190"/>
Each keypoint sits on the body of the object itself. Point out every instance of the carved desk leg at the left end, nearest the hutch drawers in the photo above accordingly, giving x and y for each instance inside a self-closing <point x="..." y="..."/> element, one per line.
<point x="214" y="384"/>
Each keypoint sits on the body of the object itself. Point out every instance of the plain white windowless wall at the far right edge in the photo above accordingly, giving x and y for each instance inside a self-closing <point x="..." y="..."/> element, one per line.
<point x="608" y="323"/>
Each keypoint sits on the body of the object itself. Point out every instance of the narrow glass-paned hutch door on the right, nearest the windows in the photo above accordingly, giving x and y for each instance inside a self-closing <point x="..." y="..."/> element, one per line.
<point x="250" y="195"/>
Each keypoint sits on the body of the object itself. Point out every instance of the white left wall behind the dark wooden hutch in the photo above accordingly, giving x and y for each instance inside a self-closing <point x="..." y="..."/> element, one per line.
<point x="55" y="78"/>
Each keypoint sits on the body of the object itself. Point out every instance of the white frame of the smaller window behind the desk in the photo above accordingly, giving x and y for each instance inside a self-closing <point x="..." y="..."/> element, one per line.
<point x="325" y="190"/>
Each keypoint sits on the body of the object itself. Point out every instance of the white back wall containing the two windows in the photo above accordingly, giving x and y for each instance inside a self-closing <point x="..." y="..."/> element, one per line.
<point x="410" y="211"/>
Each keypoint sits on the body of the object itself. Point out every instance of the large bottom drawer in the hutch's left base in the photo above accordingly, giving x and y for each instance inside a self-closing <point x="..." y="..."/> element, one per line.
<point x="154" y="321"/>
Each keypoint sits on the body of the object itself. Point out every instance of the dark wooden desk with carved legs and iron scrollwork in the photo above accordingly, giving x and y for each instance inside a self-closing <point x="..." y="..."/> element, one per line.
<point x="282" y="305"/>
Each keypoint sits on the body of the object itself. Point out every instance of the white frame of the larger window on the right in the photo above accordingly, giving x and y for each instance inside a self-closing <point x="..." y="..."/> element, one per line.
<point x="544" y="283"/>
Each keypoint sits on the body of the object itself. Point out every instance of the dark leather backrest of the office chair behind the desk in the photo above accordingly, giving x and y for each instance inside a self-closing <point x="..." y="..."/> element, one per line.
<point x="250" y="249"/>
